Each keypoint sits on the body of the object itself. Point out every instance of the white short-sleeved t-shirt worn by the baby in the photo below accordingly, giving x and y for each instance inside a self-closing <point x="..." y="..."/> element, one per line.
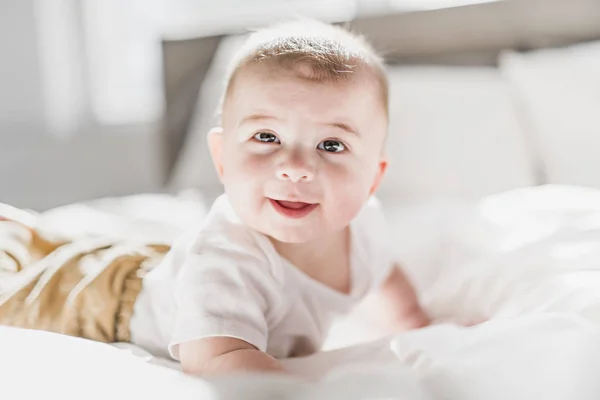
<point x="228" y="280"/>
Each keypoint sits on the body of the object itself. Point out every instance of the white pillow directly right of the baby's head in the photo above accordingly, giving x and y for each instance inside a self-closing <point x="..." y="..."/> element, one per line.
<point x="454" y="133"/>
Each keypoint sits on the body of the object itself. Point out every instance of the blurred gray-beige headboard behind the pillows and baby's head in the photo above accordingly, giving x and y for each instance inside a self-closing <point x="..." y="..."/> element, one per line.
<point x="467" y="35"/>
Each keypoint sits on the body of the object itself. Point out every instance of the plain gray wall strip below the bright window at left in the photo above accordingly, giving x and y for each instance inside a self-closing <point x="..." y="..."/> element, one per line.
<point x="39" y="171"/>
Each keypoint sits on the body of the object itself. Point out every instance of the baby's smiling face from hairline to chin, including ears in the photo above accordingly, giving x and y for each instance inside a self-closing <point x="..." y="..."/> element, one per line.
<point x="298" y="159"/>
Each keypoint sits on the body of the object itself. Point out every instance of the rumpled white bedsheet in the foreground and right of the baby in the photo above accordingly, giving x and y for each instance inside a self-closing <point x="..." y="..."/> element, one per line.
<point x="529" y="260"/>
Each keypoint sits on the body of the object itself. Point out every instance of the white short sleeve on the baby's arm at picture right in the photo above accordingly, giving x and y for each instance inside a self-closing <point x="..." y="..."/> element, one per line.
<point x="377" y="257"/>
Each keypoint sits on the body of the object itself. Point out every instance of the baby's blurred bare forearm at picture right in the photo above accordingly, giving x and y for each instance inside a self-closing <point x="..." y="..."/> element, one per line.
<point x="400" y="302"/>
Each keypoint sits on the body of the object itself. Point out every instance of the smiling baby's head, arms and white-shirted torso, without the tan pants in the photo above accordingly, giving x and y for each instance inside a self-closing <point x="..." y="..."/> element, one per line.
<point x="297" y="239"/>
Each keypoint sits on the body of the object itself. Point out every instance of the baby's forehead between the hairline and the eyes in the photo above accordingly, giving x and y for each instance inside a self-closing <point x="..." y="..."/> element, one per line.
<point x="283" y="100"/>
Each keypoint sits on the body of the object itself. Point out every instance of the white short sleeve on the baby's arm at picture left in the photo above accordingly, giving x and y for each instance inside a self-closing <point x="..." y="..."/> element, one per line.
<point x="222" y="293"/>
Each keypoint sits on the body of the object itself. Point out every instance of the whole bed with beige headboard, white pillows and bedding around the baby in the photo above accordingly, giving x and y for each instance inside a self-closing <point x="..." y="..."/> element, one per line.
<point x="514" y="242"/>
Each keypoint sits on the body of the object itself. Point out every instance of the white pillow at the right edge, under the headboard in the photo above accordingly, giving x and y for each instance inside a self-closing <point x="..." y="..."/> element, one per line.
<point x="559" y="91"/>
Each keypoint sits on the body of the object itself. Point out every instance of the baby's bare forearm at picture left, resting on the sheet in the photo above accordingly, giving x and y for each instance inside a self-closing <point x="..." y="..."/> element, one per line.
<point x="222" y="355"/>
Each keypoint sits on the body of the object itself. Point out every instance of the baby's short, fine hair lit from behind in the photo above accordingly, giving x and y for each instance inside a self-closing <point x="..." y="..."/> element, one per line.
<point x="332" y="54"/>
